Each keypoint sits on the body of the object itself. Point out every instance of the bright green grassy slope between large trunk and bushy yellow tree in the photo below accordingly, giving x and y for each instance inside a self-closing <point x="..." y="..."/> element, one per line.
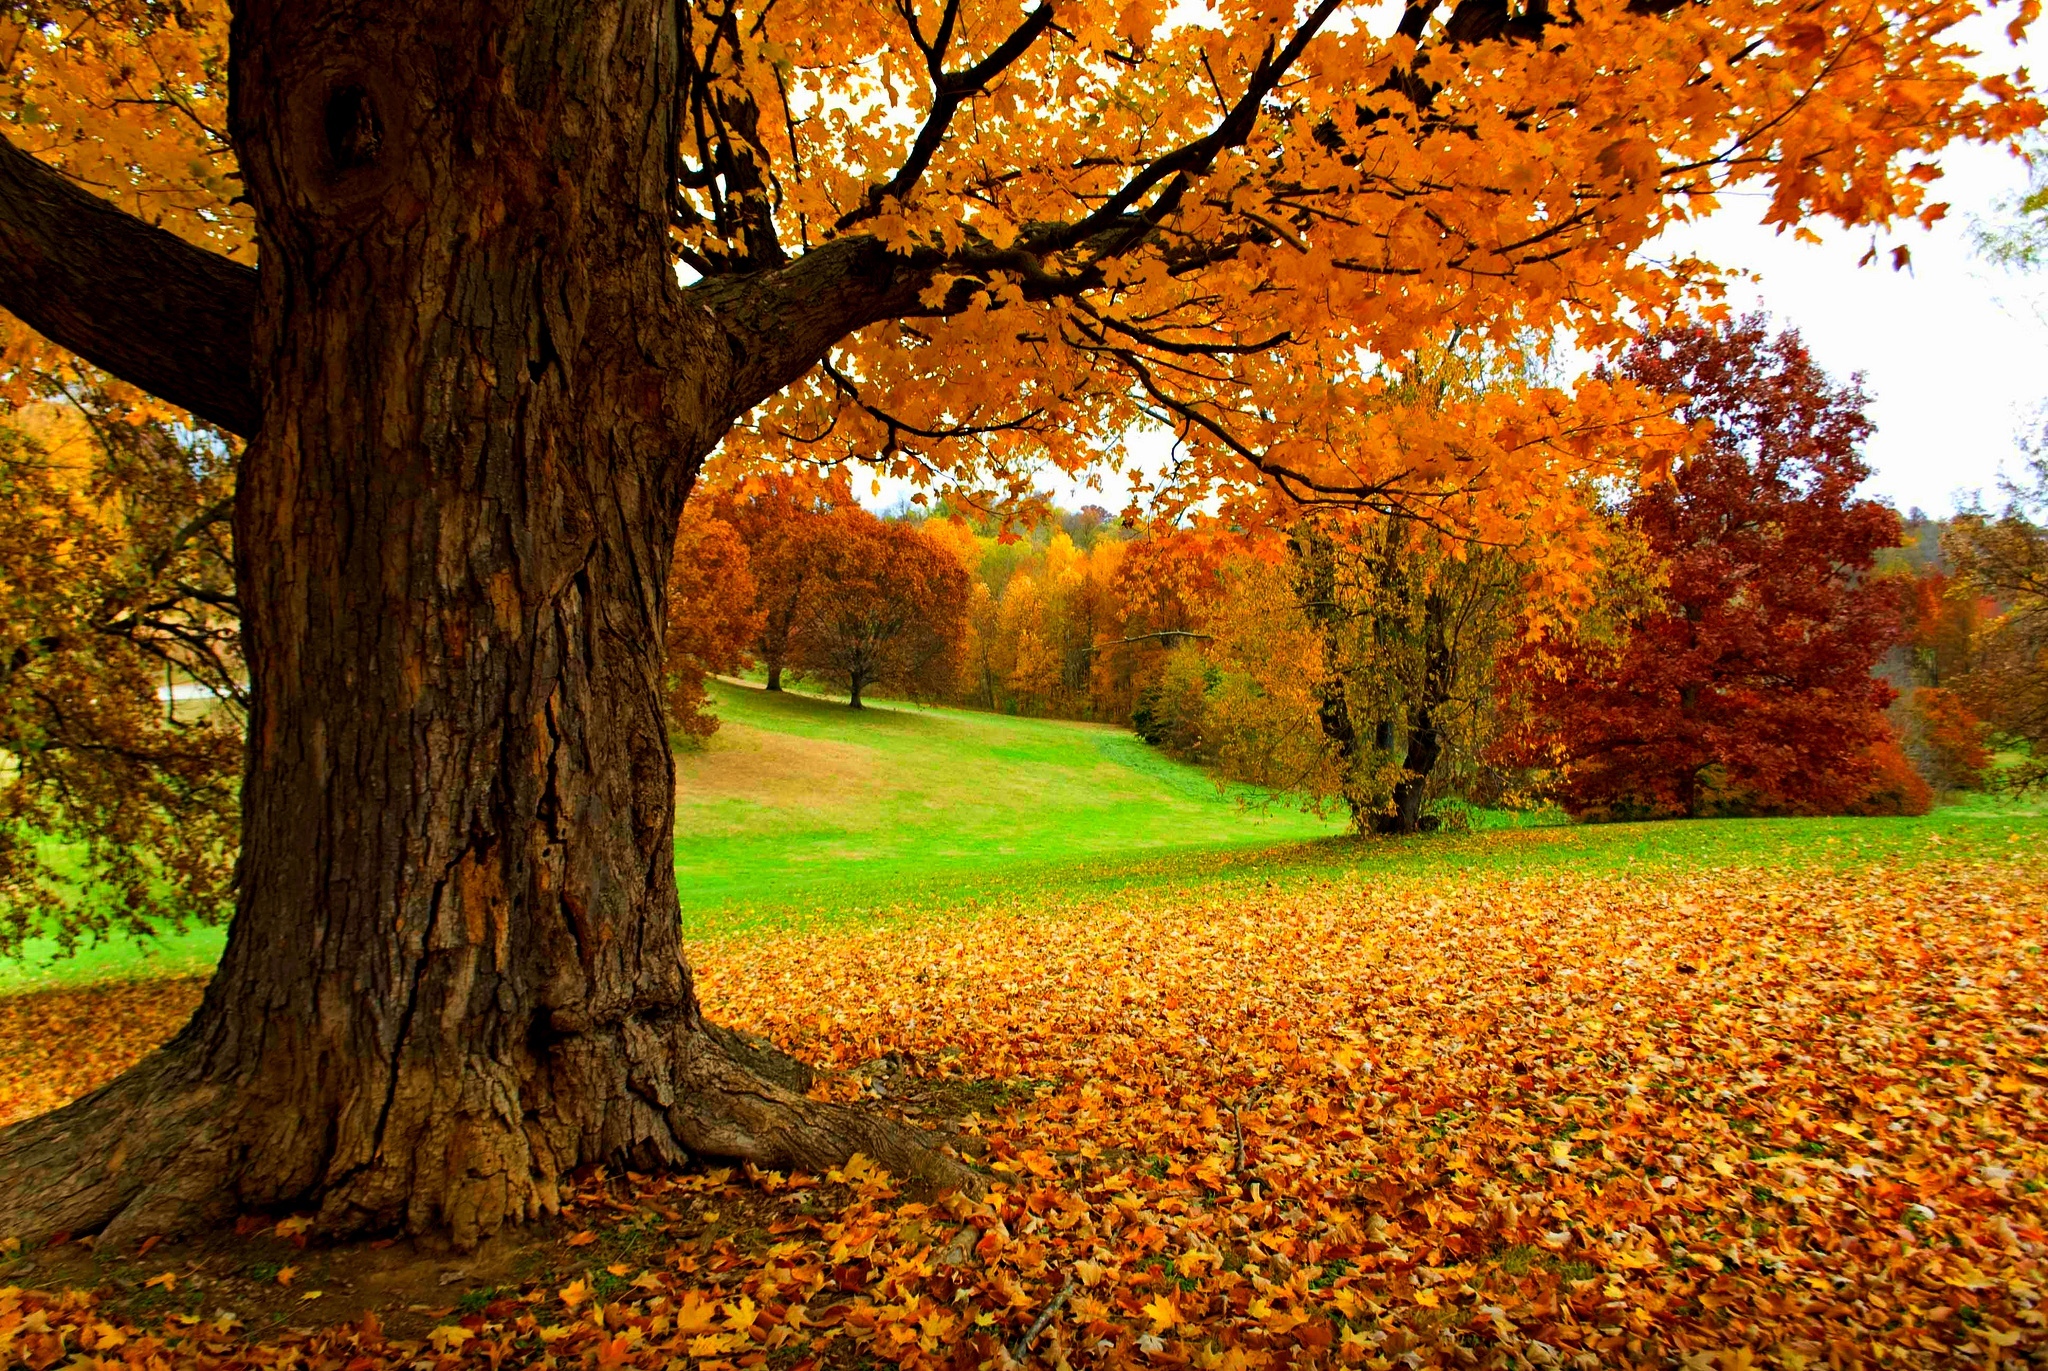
<point x="800" y="806"/>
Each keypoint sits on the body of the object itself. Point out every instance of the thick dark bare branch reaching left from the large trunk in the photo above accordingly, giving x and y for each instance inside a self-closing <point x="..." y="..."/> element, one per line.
<point x="126" y="296"/>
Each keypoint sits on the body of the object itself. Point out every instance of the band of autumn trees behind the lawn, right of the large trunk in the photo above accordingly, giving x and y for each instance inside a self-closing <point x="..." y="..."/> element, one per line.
<point x="1754" y="636"/>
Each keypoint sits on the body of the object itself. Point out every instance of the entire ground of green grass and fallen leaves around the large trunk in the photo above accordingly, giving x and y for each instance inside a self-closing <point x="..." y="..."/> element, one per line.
<point x="1246" y="1093"/>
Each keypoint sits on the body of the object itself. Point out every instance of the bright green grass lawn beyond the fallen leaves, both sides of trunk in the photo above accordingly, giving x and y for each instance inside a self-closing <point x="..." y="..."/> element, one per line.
<point x="804" y="813"/>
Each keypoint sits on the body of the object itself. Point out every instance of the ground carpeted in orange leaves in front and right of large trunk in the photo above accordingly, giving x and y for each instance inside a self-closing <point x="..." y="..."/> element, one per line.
<point x="1586" y="1120"/>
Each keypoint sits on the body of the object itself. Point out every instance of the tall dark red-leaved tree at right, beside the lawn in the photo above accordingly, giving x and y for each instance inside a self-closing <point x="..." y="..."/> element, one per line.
<point x="1748" y="690"/>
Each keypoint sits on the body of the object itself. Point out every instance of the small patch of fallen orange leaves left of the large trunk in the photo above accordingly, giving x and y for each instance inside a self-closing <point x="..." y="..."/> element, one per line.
<point x="62" y="1044"/>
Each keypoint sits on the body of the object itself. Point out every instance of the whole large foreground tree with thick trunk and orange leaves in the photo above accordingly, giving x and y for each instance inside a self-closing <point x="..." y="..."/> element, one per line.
<point x="425" y="261"/>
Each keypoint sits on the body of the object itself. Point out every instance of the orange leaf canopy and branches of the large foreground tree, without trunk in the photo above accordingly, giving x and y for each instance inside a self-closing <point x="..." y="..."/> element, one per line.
<point x="970" y="239"/>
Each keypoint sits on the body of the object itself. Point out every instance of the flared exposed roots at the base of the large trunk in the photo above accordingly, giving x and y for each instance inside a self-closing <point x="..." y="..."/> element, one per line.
<point x="163" y="1151"/>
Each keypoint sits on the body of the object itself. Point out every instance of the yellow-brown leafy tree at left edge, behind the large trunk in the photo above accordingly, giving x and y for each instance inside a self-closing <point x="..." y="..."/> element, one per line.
<point x="118" y="587"/>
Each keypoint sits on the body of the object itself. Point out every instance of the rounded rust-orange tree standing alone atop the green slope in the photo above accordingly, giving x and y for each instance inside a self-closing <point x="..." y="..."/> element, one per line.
<point x="882" y="608"/>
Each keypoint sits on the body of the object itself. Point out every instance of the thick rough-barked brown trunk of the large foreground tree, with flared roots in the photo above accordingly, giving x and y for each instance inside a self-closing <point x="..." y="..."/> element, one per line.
<point x="456" y="964"/>
